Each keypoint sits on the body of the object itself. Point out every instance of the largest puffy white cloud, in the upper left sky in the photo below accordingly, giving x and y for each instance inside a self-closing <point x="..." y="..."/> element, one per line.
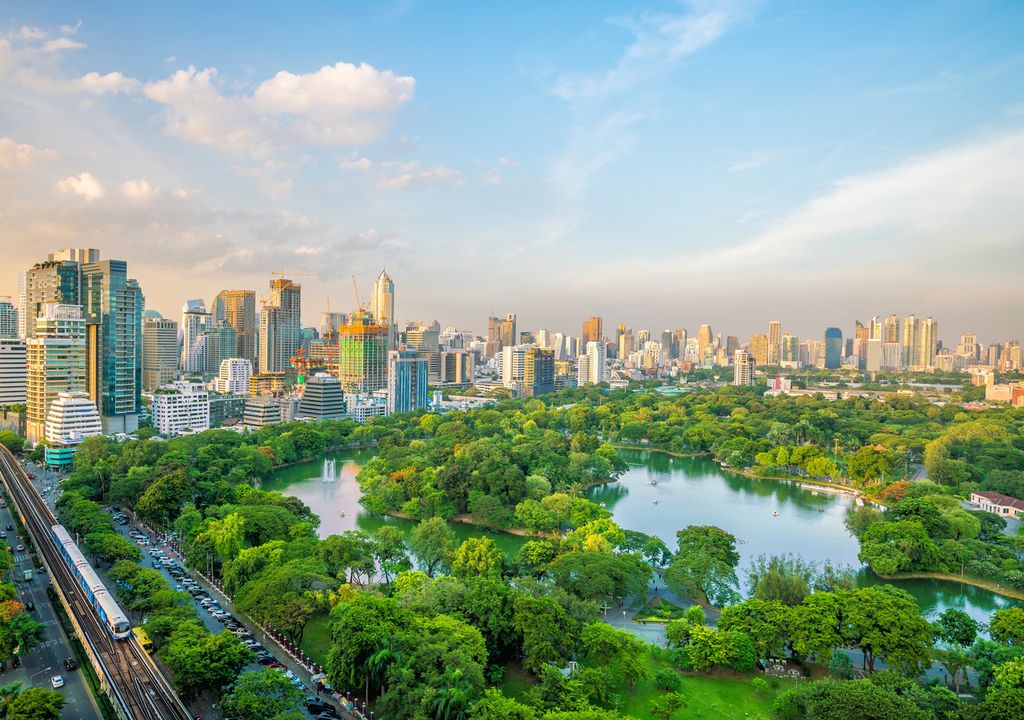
<point x="339" y="105"/>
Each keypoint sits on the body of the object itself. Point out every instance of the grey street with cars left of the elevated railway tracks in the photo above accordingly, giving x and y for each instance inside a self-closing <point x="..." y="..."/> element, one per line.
<point x="47" y="660"/>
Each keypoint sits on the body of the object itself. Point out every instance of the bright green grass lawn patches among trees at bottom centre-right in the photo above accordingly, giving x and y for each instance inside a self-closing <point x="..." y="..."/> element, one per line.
<point x="708" y="697"/>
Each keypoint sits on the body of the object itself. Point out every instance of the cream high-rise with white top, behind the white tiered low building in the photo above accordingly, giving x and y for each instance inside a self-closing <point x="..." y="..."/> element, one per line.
<point x="56" y="363"/>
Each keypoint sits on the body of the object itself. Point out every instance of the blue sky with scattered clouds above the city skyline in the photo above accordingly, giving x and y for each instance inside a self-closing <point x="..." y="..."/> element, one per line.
<point x="660" y="164"/>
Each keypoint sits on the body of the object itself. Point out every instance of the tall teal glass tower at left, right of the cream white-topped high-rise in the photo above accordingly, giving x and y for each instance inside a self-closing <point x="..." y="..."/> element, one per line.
<point x="112" y="307"/>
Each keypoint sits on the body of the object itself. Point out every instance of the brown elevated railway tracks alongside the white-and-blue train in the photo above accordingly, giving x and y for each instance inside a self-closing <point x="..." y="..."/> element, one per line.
<point x="138" y="689"/>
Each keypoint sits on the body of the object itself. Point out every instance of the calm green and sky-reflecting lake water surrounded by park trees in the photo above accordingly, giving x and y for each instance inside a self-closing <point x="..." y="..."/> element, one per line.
<point x="689" y="491"/>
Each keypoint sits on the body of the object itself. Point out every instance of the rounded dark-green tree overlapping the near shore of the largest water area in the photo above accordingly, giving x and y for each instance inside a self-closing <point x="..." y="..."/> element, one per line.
<point x="705" y="565"/>
